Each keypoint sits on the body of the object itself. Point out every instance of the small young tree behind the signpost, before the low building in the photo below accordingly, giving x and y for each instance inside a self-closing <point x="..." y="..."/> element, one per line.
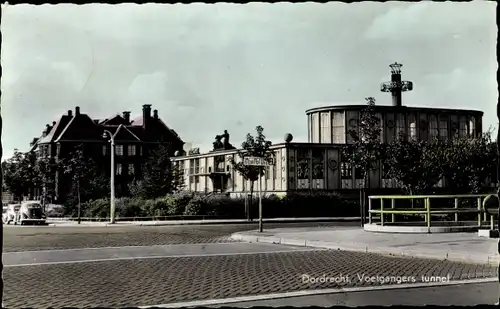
<point x="256" y="146"/>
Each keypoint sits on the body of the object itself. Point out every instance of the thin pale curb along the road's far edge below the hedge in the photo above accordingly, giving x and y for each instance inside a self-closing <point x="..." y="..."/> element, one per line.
<point x="206" y="222"/>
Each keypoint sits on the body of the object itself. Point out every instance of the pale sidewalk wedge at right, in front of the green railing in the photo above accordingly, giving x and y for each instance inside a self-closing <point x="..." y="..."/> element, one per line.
<point x="460" y="247"/>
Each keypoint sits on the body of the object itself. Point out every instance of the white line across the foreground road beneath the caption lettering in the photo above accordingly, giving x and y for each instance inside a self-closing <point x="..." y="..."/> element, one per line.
<point x="316" y="292"/>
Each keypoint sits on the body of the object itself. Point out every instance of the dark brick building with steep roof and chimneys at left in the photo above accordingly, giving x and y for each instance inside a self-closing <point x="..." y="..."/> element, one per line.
<point x="134" y="139"/>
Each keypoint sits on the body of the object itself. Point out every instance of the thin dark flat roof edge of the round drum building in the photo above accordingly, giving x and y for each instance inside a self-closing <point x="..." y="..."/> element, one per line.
<point x="390" y="108"/>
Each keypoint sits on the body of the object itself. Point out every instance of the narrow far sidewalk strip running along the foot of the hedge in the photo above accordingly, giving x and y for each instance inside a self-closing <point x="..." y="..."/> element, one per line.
<point x="63" y="223"/>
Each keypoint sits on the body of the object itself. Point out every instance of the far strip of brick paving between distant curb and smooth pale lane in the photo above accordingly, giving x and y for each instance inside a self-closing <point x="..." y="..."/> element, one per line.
<point x="49" y="238"/>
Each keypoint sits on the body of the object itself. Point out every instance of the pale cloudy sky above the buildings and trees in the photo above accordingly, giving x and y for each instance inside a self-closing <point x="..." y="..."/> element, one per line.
<point x="216" y="67"/>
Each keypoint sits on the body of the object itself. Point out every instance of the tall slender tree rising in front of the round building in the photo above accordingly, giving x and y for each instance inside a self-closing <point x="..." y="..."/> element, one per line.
<point x="366" y="150"/>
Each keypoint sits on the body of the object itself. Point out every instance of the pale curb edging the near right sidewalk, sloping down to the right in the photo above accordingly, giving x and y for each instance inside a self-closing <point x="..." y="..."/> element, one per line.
<point x="355" y="247"/>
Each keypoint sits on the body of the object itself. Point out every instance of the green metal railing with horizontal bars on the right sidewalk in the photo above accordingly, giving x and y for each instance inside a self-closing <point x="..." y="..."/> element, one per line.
<point x="388" y="207"/>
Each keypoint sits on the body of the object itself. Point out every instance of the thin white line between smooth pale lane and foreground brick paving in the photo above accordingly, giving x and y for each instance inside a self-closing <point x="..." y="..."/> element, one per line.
<point x="161" y="257"/>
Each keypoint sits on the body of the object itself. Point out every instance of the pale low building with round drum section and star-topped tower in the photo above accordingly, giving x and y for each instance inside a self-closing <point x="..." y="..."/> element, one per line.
<point x="318" y="164"/>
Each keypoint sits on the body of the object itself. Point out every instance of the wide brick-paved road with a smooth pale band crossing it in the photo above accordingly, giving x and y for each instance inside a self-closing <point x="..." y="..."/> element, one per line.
<point x="144" y="266"/>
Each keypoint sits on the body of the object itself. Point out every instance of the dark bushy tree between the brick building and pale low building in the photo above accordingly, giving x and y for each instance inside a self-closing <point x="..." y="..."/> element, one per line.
<point x="160" y="176"/>
